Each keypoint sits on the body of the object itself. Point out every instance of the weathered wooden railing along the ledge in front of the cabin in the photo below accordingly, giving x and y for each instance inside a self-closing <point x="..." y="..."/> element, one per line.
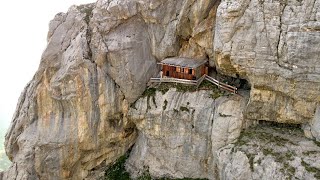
<point x="196" y="82"/>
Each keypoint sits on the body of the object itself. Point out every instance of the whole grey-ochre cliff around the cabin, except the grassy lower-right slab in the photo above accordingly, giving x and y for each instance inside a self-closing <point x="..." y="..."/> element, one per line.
<point x="75" y="113"/>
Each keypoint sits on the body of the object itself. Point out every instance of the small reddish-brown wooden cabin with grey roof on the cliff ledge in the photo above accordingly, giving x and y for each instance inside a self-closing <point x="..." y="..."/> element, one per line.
<point x="183" y="68"/>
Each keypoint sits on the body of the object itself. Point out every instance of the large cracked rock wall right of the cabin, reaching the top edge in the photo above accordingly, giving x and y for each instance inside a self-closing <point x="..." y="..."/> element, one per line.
<point x="273" y="44"/>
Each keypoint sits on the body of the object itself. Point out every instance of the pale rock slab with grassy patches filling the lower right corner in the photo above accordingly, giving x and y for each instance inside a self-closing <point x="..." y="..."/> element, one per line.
<point x="270" y="153"/>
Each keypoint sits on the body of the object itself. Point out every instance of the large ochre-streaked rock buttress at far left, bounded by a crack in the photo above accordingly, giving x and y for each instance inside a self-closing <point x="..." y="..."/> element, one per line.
<point x="70" y="116"/>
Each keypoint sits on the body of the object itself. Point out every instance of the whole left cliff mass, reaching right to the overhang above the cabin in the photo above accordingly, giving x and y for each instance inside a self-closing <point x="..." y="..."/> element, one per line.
<point x="71" y="117"/>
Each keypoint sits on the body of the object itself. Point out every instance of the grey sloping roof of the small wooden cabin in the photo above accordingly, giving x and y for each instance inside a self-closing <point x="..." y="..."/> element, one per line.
<point x="183" y="62"/>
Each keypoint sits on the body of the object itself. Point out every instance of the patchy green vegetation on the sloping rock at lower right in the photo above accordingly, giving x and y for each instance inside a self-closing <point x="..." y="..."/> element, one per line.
<point x="280" y="143"/>
